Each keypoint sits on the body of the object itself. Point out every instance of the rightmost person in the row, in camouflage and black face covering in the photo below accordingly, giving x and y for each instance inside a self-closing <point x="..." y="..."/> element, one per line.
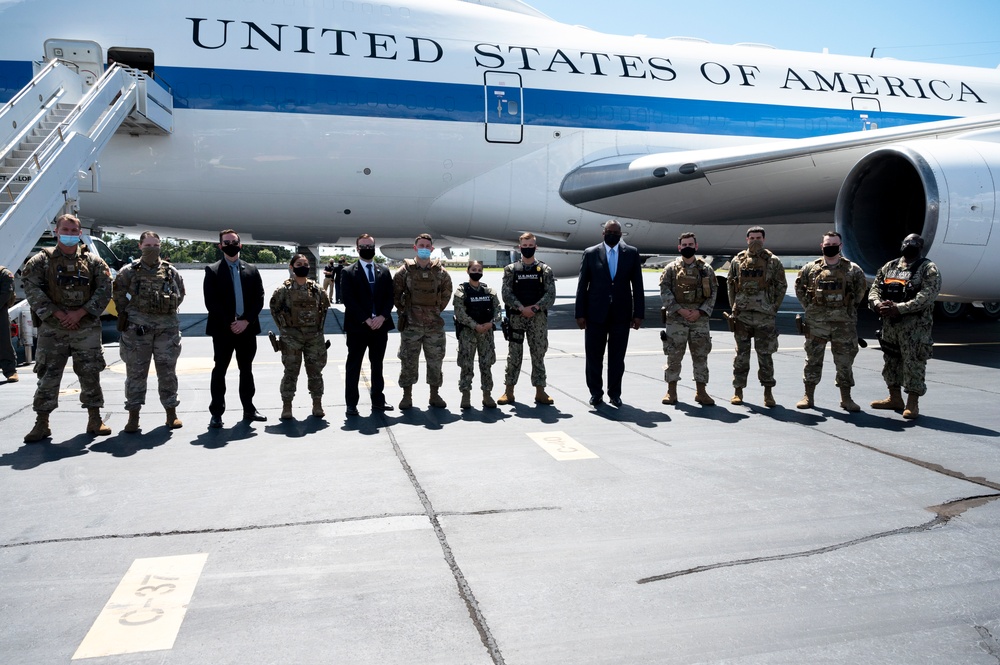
<point x="903" y="295"/>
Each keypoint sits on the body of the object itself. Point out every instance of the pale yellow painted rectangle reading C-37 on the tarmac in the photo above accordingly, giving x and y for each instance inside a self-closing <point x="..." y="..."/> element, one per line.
<point x="146" y="610"/>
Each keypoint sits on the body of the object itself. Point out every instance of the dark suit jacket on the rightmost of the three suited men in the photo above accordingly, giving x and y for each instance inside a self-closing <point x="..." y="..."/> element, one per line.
<point x="600" y="298"/>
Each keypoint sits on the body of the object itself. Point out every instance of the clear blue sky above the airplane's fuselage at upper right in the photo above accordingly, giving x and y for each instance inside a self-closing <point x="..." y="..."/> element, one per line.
<point x="955" y="32"/>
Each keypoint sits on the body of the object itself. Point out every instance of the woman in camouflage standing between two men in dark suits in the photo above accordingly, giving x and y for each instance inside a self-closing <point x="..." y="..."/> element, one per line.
<point x="299" y="308"/>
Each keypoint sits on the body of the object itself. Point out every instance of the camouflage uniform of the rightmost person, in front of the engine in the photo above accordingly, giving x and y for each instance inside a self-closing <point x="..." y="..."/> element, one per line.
<point x="906" y="340"/>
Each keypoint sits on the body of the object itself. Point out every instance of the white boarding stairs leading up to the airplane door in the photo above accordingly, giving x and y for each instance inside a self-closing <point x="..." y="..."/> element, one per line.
<point x="52" y="134"/>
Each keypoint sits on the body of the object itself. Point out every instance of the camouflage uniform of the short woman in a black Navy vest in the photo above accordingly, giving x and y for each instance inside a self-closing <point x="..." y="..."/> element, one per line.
<point x="484" y="306"/>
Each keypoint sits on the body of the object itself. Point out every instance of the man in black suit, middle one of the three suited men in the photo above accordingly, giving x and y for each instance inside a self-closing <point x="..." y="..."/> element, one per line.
<point x="366" y="288"/>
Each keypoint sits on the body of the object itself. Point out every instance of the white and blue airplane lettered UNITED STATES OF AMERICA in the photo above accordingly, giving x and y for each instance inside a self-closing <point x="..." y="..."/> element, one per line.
<point x="312" y="122"/>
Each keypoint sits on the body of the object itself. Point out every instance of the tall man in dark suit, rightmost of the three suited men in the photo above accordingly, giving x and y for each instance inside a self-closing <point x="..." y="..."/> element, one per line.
<point x="609" y="300"/>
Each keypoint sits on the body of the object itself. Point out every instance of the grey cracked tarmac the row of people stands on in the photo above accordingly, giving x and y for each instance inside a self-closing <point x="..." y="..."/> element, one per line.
<point x="522" y="534"/>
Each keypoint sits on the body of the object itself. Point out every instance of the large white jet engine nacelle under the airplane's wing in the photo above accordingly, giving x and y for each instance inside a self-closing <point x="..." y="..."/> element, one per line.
<point x="945" y="190"/>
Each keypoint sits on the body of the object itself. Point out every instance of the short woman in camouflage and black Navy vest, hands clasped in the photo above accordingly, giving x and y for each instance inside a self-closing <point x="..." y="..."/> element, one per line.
<point x="477" y="314"/>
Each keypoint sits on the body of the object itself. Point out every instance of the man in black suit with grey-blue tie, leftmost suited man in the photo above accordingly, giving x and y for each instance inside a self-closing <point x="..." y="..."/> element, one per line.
<point x="234" y="297"/>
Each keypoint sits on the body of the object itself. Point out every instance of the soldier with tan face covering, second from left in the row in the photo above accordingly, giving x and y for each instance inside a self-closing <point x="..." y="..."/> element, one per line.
<point x="147" y="293"/>
